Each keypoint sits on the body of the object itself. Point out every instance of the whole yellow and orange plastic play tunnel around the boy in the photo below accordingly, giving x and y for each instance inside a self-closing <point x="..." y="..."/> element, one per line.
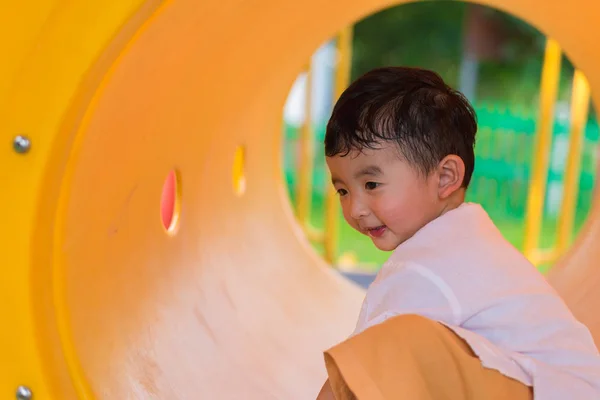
<point x="99" y="103"/>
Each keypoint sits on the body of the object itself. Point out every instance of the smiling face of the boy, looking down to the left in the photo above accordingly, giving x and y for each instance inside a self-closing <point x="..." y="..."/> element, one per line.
<point x="382" y="196"/>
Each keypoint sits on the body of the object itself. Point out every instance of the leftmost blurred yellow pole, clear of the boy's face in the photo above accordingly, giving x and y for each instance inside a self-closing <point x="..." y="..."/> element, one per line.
<point x="306" y="156"/>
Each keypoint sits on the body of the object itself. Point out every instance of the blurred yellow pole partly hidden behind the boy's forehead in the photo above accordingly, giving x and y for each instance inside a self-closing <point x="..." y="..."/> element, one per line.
<point x="342" y="78"/>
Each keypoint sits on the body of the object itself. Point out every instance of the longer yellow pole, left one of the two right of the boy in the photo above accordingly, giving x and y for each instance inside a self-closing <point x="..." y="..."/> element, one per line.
<point x="537" y="184"/>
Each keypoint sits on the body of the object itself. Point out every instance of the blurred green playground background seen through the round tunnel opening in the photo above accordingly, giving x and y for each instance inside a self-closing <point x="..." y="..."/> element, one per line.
<point x="536" y="151"/>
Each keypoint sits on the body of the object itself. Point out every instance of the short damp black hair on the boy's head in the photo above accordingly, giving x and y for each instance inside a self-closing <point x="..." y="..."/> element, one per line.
<point x="413" y="107"/>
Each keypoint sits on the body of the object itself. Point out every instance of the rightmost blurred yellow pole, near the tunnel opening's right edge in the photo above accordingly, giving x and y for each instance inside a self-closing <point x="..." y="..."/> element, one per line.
<point x="580" y="99"/>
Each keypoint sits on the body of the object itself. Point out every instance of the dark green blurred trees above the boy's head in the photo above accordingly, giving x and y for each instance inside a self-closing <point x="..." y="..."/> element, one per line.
<point x="499" y="55"/>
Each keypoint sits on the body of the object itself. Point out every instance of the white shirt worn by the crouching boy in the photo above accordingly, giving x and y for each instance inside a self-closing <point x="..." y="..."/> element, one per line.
<point x="460" y="271"/>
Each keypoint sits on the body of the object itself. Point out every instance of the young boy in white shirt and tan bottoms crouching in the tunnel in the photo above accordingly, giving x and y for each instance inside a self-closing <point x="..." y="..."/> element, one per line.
<point x="456" y="312"/>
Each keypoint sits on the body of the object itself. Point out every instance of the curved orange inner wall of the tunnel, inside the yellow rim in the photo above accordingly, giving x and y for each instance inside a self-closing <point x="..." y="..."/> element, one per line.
<point x="233" y="304"/>
